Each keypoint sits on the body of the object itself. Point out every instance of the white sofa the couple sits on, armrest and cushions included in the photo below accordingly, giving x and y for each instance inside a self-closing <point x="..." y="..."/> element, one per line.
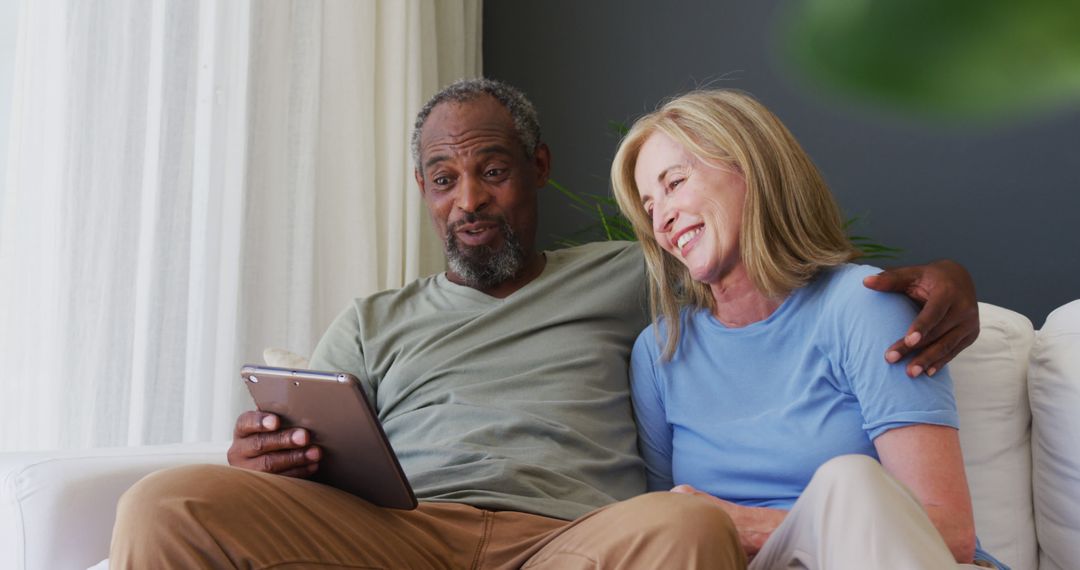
<point x="1019" y="393"/>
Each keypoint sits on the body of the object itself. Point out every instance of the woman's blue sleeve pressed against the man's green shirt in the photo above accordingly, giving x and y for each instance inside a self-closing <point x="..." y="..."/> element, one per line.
<point x="654" y="432"/>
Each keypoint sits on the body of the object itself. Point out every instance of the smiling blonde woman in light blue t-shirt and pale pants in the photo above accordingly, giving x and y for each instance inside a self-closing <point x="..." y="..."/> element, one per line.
<point x="760" y="386"/>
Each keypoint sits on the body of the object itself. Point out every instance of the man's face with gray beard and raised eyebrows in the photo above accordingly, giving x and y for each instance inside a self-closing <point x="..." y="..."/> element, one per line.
<point x="480" y="188"/>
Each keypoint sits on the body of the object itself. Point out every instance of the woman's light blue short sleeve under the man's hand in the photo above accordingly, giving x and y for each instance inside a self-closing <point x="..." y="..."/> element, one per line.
<point x="869" y="322"/>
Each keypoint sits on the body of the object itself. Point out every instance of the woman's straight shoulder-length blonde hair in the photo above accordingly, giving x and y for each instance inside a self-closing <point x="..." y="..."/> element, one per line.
<point x="791" y="225"/>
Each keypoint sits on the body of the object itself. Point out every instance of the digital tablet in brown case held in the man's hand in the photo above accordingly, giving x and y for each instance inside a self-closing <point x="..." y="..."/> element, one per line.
<point x="357" y="455"/>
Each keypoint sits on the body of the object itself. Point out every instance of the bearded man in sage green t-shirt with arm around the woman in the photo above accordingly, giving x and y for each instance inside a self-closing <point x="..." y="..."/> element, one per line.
<point x="502" y="385"/>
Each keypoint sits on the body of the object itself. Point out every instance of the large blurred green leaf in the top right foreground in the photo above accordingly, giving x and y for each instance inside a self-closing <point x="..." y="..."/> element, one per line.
<point x="947" y="60"/>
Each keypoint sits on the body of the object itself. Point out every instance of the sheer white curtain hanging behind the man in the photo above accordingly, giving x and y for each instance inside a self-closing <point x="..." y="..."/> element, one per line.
<point x="191" y="182"/>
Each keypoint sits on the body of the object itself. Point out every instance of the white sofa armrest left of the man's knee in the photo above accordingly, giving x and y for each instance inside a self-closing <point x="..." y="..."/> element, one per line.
<point x="70" y="498"/>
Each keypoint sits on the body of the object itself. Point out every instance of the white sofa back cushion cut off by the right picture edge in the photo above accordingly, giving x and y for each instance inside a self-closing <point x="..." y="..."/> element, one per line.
<point x="1055" y="389"/>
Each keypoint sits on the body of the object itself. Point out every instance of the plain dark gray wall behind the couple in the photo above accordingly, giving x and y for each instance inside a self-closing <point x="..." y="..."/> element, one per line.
<point x="1004" y="199"/>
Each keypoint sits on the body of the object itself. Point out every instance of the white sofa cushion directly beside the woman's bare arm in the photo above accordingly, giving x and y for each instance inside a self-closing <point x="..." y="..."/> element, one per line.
<point x="991" y="379"/>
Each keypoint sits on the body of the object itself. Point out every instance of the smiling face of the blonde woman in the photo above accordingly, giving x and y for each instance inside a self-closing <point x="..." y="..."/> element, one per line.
<point x="696" y="208"/>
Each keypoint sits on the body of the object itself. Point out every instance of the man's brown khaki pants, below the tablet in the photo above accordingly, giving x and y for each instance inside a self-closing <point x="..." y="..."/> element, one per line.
<point x="209" y="517"/>
